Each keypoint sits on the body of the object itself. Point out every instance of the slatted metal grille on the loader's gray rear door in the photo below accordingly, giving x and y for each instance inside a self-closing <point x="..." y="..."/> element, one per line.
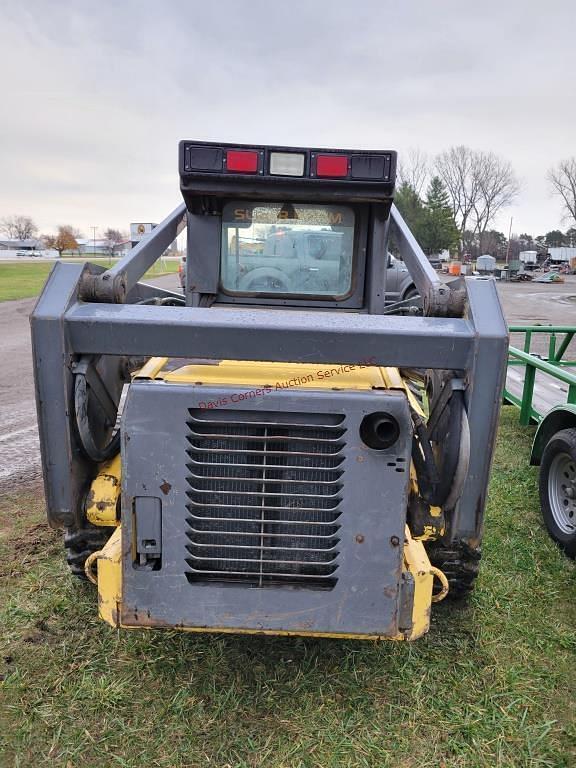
<point x="264" y="497"/>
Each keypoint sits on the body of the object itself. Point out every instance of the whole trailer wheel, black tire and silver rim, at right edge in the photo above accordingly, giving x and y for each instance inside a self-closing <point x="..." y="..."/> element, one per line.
<point x="558" y="489"/>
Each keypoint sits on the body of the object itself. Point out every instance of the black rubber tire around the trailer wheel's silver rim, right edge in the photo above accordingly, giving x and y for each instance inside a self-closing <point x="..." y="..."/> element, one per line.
<point x="563" y="442"/>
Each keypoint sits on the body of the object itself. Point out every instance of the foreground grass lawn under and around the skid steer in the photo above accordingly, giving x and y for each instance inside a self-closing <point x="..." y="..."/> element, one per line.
<point x="491" y="685"/>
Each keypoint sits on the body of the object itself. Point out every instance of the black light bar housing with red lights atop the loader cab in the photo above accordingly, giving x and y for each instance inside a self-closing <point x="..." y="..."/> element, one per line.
<point x="205" y="178"/>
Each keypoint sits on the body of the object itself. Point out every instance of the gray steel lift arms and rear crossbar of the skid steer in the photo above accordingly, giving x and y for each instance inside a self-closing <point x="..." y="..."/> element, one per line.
<point x="86" y="310"/>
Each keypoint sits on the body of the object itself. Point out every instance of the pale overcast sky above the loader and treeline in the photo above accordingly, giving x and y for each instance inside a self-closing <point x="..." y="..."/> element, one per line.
<point x="96" y="95"/>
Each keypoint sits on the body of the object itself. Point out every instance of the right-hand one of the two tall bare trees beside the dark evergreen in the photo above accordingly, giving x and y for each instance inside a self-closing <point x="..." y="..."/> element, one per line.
<point x="498" y="186"/>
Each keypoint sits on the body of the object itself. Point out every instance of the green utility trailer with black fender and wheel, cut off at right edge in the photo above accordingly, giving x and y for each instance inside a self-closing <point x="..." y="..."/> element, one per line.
<point x="541" y="382"/>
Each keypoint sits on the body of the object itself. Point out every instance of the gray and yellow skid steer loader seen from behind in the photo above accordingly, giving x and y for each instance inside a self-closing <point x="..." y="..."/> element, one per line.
<point x="279" y="450"/>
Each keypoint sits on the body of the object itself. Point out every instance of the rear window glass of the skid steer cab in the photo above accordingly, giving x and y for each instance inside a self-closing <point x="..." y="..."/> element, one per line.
<point x="287" y="249"/>
